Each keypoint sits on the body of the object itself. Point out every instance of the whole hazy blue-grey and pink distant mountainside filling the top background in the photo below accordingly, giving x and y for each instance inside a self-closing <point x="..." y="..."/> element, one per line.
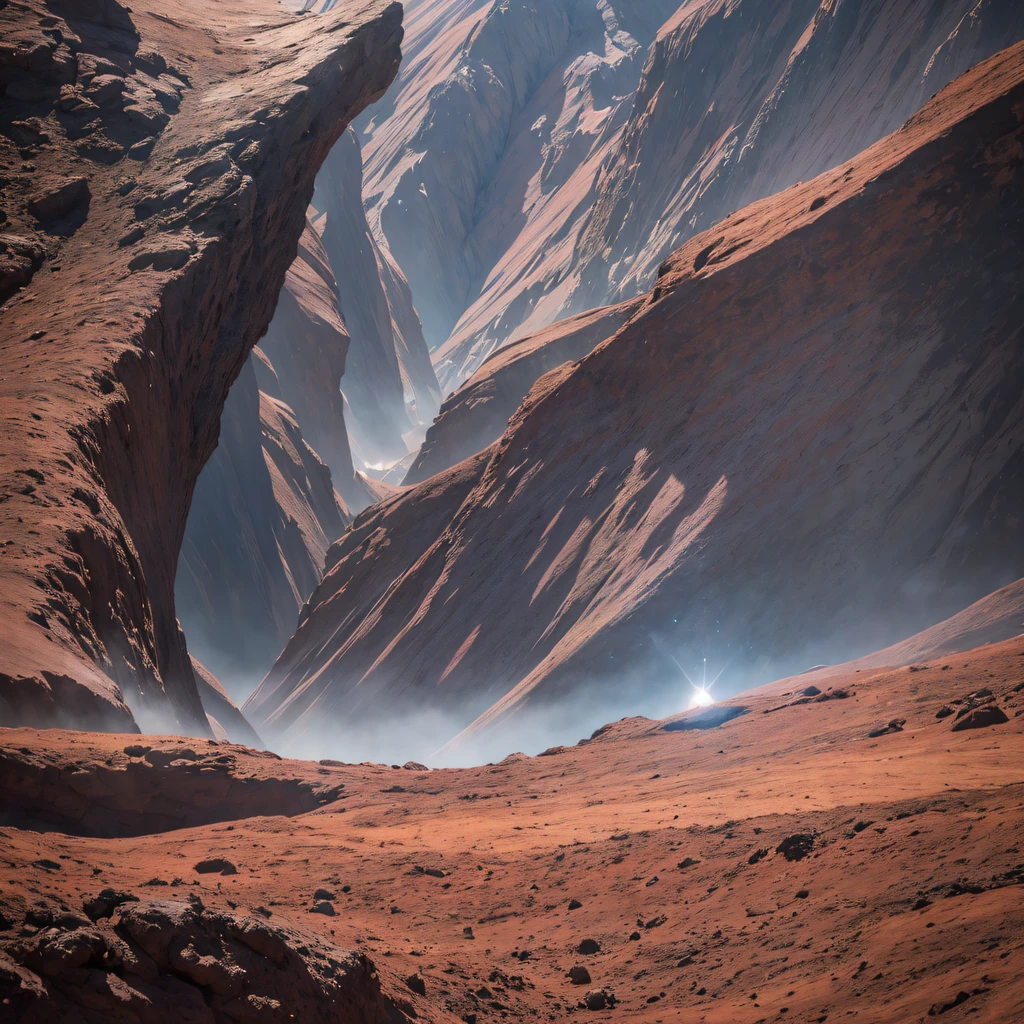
<point x="516" y="191"/>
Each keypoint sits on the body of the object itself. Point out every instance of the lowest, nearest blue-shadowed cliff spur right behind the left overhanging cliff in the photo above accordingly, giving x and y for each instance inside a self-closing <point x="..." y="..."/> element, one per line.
<point x="263" y="518"/>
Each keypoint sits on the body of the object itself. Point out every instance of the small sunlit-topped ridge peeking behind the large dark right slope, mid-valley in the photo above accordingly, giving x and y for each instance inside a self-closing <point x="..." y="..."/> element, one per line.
<point x="478" y="414"/>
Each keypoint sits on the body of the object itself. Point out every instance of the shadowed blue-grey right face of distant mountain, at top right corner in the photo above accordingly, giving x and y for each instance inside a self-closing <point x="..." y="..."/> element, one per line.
<point x="808" y="84"/>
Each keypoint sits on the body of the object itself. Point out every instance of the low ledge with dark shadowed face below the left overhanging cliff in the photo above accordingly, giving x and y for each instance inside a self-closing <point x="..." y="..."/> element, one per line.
<point x="87" y="785"/>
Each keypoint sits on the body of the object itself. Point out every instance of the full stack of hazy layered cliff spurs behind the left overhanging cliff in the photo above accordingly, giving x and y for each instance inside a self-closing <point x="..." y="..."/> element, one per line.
<point x="266" y="510"/>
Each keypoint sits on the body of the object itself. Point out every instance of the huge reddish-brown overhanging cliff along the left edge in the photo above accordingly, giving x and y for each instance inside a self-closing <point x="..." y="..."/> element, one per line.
<point x="157" y="174"/>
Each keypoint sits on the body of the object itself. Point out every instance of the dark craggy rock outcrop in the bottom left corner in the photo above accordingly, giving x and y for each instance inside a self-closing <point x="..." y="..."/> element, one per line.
<point x="174" y="961"/>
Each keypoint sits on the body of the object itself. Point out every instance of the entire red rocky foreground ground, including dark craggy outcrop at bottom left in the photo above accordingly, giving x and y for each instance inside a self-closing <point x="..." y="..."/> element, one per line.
<point x="851" y="846"/>
